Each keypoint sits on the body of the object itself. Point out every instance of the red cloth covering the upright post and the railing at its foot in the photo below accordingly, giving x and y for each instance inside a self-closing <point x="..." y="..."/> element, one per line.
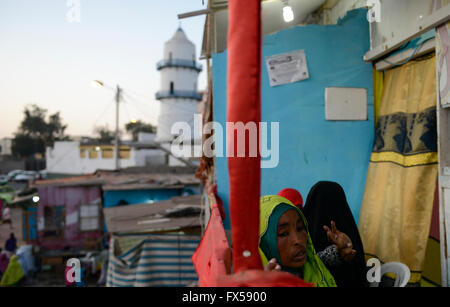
<point x="244" y="105"/>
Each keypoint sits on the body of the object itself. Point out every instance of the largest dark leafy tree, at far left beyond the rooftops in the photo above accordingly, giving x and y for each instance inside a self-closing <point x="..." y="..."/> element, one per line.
<point x="35" y="133"/>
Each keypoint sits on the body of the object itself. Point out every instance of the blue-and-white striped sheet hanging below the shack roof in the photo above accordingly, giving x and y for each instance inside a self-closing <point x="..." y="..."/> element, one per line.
<point x="152" y="260"/>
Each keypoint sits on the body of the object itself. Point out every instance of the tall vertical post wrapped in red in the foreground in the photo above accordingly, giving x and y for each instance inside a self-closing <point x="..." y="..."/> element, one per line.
<point x="244" y="105"/>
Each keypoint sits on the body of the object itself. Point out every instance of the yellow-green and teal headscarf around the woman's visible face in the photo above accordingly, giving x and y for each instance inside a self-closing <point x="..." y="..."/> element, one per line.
<point x="272" y="207"/>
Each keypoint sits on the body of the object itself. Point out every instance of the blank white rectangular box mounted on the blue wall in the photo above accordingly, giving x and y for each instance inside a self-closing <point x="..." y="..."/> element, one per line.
<point x="345" y="103"/>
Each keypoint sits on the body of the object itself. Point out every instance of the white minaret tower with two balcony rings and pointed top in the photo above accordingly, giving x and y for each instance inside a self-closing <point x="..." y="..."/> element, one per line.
<point x="178" y="94"/>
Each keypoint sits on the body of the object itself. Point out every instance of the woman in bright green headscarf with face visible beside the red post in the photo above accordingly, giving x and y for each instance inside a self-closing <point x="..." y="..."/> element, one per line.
<point x="285" y="241"/>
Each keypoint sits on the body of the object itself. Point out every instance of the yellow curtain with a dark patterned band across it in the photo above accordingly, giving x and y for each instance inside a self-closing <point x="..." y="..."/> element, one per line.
<point x="398" y="200"/>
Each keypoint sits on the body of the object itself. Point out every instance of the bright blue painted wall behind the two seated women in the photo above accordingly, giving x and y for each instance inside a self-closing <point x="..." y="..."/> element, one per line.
<point x="311" y="148"/>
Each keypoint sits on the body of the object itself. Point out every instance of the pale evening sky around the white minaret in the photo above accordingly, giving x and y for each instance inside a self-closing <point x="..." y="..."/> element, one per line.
<point x="50" y="51"/>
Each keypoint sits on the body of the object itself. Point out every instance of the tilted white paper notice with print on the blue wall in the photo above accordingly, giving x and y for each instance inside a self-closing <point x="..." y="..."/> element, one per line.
<point x="287" y="67"/>
